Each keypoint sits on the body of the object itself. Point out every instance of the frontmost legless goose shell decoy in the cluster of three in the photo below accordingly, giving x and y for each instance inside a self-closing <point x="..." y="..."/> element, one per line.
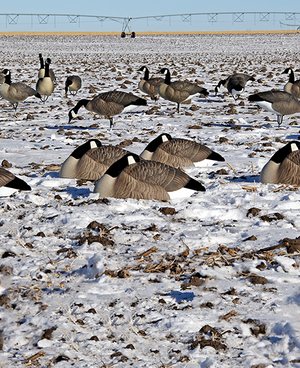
<point x="133" y="177"/>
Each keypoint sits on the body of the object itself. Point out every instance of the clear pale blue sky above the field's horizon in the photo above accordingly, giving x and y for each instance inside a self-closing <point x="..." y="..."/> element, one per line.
<point x="140" y="8"/>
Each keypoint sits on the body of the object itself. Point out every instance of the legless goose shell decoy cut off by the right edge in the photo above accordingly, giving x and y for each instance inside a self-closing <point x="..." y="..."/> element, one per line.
<point x="284" y="166"/>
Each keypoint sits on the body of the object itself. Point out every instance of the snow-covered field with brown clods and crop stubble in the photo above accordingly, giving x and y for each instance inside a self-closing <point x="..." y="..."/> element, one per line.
<point x="204" y="281"/>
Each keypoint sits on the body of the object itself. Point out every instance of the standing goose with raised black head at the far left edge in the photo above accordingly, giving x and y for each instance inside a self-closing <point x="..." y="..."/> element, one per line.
<point x="15" y="92"/>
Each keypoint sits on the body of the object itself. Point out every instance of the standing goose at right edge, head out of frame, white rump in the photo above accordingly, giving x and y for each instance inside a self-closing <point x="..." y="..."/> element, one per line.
<point x="278" y="102"/>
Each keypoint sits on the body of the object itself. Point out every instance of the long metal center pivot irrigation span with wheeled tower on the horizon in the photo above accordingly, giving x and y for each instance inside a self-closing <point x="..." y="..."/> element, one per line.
<point x="286" y="19"/>
